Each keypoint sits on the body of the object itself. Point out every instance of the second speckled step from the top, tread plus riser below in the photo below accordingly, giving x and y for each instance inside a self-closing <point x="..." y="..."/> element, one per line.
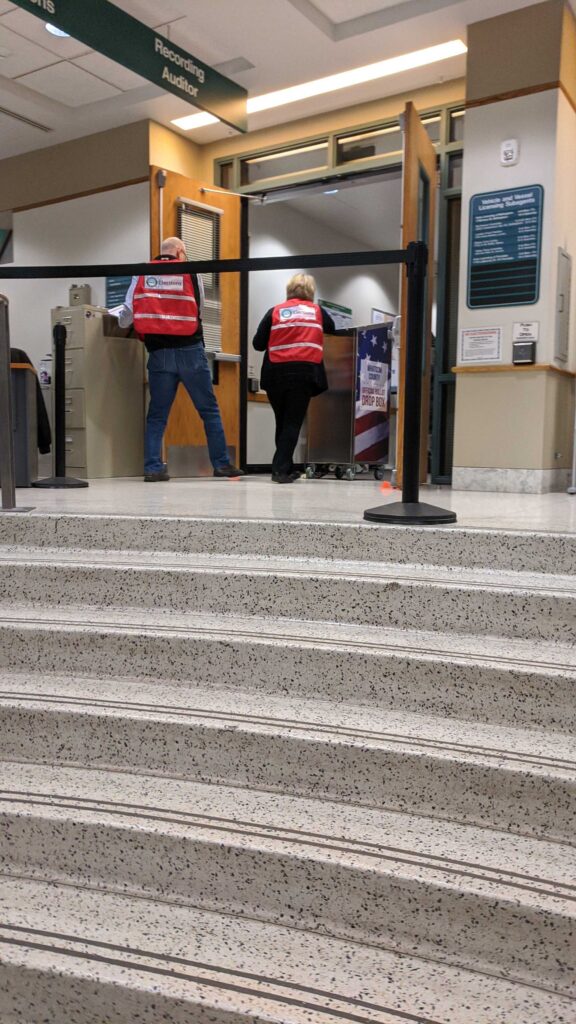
<point x="505" y="682"/>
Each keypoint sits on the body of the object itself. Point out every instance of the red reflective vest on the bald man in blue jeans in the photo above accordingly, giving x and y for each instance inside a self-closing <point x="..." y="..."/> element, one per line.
<point x="166" y="305"/>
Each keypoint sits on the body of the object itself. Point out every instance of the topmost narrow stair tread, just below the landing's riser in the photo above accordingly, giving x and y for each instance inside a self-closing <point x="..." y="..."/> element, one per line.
<point x="405" y="574"/>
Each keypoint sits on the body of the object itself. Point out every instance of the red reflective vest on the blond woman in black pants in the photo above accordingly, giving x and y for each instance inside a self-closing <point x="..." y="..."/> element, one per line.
<point x="297" y="333"/>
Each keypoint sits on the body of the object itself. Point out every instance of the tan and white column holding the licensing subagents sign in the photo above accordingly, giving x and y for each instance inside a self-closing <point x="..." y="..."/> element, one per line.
<point x="514" y="424"/>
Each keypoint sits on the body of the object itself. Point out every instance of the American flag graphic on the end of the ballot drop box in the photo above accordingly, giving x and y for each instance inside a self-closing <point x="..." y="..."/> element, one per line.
<point x="373" y="394"/>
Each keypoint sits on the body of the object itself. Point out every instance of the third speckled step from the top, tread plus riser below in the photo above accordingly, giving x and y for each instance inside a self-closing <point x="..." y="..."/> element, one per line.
<point x="511" y="780"/>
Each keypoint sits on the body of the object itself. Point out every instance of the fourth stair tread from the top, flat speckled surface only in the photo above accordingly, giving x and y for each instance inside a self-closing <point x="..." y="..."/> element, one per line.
<point x="482" y="861"/>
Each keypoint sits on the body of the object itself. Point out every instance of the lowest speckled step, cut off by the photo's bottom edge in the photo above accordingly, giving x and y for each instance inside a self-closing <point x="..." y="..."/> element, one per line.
<point x="89" y="958"/>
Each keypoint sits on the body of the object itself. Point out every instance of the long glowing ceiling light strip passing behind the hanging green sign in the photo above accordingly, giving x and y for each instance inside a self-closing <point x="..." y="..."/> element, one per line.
<point x="320" y="87"/>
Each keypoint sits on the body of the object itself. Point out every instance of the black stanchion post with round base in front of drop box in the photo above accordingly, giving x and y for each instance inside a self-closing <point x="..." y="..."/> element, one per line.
<point x="410" y="511"/>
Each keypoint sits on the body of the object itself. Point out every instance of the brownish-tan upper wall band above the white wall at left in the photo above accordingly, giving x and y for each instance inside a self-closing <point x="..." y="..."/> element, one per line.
<point x="86" y="165"/>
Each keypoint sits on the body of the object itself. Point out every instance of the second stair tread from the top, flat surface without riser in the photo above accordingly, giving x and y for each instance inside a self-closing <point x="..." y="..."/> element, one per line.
<point x="508" y="653"/>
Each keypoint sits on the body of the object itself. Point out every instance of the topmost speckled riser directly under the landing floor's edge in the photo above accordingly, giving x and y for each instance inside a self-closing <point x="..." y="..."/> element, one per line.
<point x="517" y="550"/>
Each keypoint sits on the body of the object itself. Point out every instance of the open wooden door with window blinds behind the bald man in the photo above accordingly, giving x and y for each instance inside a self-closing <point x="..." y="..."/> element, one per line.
<point x="185" y="426"/>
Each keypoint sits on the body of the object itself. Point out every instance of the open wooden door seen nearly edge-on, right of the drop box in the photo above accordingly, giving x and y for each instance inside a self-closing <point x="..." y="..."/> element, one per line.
<point x="419" y="222"/>
